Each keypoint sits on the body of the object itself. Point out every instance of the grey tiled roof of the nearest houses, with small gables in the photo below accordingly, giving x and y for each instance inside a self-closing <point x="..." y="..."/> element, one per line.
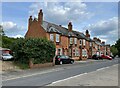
<point x="50" y="27"/>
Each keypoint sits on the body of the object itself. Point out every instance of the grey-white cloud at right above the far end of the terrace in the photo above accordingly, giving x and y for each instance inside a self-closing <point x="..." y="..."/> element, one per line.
<point x="105" y="29"/>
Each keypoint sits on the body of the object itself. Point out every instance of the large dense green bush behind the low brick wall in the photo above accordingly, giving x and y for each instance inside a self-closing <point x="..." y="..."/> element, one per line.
<point x="40" y="50"/>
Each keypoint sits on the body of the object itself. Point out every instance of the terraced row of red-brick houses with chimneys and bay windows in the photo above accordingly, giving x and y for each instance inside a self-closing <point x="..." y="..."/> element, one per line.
<point x="69" y="42"/>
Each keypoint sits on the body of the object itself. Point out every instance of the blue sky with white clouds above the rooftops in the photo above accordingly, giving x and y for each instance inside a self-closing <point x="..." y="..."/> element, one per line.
<point x="100" y="18"/>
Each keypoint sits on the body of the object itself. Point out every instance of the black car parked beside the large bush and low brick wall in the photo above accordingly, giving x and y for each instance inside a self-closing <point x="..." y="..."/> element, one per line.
<point x="63" y="59"/>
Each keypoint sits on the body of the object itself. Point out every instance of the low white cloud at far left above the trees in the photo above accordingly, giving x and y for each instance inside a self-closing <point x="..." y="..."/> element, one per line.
<point x="12" y="29"/>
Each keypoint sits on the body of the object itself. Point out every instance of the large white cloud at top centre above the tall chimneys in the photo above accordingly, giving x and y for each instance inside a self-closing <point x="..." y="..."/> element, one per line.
<point x="61" y="12"/>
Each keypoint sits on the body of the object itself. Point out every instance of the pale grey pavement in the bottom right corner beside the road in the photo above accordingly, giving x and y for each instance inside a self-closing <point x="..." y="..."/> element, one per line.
<point x="102" y="77"/>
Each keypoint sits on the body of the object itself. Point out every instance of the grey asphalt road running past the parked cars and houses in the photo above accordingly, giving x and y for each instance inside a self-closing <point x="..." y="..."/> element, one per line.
<point x="59" y="73"/>
